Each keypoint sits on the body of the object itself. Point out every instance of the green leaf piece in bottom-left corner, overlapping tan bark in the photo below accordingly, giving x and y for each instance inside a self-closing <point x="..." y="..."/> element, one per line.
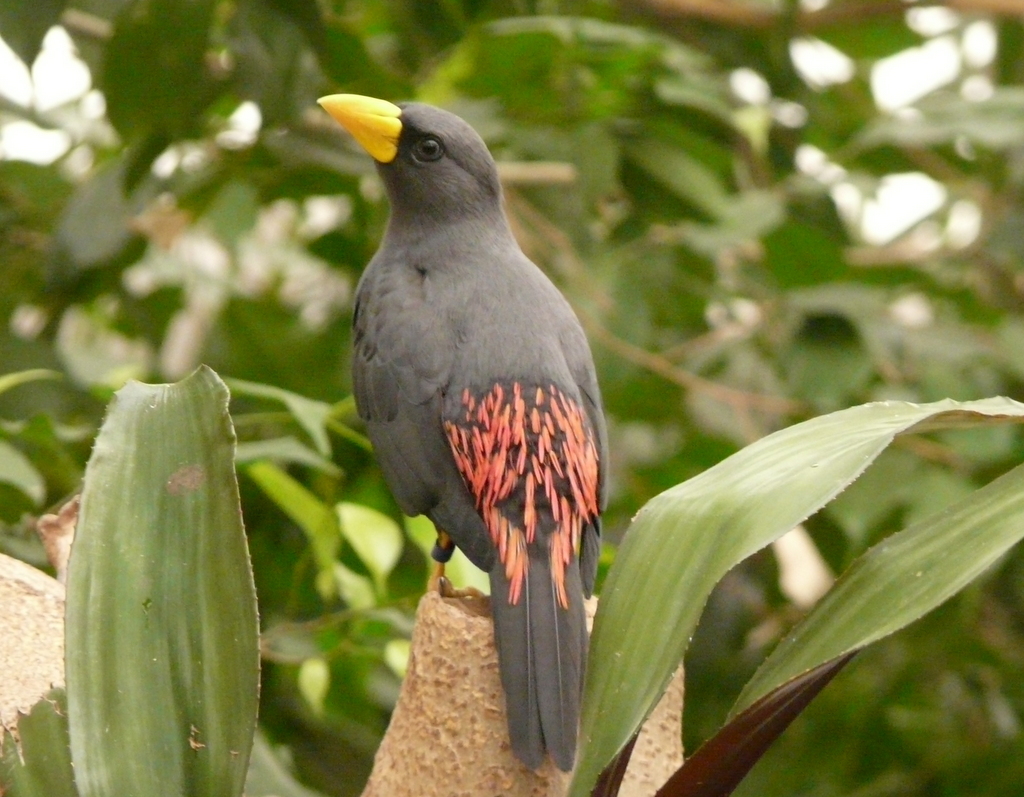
<point x="39" y="764"/>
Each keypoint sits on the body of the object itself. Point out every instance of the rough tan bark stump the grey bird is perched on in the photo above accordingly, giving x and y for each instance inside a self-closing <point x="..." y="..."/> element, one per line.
<point x="448" y="736"/>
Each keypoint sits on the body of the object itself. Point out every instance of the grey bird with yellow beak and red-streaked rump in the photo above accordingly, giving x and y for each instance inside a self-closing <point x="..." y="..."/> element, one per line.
<point x="479" y="391"/>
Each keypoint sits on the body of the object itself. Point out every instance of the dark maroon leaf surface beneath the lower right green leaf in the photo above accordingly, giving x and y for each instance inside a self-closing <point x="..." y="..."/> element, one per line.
<point x="718" y="766"/>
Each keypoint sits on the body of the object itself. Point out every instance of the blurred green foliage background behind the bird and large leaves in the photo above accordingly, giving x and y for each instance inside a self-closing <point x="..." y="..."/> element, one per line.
<point x="727" y="293"/>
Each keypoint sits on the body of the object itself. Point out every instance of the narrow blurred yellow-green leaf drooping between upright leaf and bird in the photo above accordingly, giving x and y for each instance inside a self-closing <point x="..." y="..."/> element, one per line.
<point x="312" y="515"/>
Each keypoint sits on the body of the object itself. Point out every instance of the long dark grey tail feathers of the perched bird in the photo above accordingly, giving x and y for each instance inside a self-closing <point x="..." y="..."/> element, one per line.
<point x="542" y="652"/>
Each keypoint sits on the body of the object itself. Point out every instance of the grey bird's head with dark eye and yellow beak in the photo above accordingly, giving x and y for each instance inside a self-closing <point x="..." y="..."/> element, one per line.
<point x="435" y="166"/>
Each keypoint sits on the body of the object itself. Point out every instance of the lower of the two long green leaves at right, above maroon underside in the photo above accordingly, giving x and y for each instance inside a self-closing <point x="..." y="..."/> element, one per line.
<point x="900" y="580"/>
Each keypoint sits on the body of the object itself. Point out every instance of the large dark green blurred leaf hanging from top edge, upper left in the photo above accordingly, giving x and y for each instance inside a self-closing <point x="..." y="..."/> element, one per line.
<point x="154" y="75"/>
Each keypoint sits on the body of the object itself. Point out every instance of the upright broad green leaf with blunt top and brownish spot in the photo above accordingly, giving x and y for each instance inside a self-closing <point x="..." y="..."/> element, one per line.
<point x="162" y="639"/>
